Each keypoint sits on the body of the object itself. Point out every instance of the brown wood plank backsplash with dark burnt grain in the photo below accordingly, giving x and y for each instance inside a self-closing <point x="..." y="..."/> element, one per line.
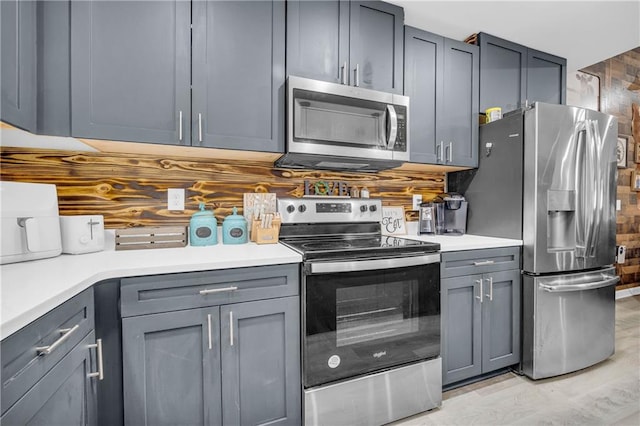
<point x="131" y="189"/>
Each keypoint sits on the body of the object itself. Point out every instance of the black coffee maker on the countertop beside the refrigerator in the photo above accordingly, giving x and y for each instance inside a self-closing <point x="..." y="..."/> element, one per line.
<point x="445" y="215"/>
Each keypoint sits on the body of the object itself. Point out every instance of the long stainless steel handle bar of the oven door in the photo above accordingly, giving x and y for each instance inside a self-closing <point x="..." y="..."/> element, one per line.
<point x="372" y="264"/>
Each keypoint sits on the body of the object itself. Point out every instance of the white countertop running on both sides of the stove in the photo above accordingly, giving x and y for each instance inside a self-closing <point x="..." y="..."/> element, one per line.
<point x="30" y="289"/>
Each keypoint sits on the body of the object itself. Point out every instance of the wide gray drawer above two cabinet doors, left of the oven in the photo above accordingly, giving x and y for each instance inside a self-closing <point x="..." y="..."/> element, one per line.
<point x="172" y="292"/>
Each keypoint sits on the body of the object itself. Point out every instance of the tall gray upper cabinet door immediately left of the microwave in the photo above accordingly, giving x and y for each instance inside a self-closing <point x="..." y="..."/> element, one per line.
<point x="238" y="74"/>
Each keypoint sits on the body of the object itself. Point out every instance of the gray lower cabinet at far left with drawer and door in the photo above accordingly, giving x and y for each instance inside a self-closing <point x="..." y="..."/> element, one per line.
<point x="50" y="368"/>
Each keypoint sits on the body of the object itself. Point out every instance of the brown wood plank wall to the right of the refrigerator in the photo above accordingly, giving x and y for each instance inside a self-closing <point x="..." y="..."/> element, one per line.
<point x="619" y="90"/>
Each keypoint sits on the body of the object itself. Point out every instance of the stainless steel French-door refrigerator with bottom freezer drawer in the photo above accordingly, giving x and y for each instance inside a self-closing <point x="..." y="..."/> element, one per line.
<point x="547" y="176"/>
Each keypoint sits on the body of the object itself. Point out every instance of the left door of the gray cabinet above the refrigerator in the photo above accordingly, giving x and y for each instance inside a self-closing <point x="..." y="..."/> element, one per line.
<point x="502" y="73"/>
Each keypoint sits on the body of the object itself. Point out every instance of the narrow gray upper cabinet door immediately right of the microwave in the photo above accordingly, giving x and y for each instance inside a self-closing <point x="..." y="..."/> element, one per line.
<point x="423" y="83"/>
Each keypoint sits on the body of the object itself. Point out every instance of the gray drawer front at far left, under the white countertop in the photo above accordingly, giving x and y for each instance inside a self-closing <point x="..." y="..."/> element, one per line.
<point x="31" y="352"/>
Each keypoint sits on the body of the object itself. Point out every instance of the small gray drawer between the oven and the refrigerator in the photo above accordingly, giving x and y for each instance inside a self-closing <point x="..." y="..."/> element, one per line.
<point x="479" y="261"/>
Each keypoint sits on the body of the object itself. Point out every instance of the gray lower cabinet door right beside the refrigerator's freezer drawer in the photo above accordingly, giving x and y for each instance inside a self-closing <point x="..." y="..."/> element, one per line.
<point x="501" y="320"/>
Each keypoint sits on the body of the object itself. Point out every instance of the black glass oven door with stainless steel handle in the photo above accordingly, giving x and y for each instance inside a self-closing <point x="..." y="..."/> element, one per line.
<point x="362" y="316"/>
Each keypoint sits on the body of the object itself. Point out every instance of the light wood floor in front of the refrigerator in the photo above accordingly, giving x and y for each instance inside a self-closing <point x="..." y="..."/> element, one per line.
<point x="605" y="394"/>
